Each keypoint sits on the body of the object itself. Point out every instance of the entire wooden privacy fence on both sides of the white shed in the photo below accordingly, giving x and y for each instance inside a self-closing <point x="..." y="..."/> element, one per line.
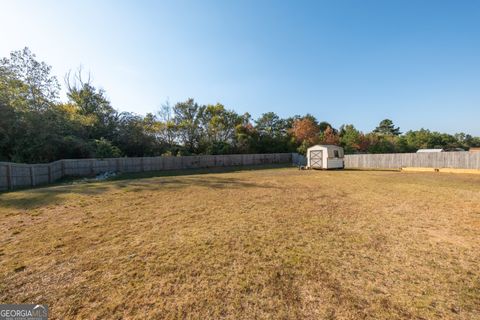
<point x="15" y="175"/>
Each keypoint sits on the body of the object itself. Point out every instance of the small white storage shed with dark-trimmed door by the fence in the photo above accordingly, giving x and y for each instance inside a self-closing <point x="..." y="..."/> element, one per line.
<point x="325" y="157"/>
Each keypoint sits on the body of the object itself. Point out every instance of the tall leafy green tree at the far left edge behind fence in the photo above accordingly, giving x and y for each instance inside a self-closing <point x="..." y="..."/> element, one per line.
<point x="29" y="125"/>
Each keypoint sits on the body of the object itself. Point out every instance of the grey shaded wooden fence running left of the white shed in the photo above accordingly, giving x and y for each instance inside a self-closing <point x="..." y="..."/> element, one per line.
<point x="14" y="175"/>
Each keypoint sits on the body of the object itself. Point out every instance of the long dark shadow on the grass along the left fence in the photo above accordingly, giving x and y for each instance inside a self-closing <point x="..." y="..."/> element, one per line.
<point x="130" y="182"/>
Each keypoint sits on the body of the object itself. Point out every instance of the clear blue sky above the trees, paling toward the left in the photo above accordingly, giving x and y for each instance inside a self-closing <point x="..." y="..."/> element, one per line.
<point x="416" y="62"/>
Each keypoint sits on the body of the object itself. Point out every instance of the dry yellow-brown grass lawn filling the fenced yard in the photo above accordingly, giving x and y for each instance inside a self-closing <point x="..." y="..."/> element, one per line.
<point x="274" y="243"/>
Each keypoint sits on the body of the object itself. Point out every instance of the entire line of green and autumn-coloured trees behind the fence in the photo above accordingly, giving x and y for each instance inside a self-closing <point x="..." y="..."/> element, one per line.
<point x="36" y="127"/>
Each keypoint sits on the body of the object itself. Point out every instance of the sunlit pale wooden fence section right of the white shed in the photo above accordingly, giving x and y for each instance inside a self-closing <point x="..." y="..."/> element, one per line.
<point x="458" y="160"/>
